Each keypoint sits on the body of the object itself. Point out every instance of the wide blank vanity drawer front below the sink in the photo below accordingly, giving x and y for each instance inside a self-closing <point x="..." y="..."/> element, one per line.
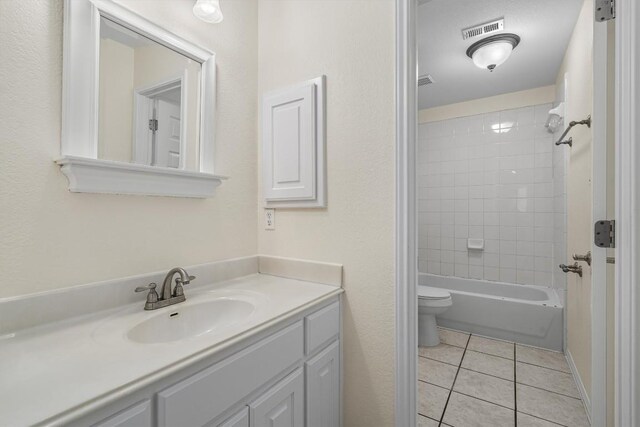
<point x="202" y="397"/>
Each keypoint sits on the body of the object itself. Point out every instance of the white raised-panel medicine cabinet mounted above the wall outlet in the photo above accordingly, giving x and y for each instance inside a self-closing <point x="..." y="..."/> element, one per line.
<point x="293" y="146"/>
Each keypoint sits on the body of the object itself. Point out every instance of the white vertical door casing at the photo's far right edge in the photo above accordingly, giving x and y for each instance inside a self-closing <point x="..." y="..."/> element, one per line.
<point x="627" y="213"/>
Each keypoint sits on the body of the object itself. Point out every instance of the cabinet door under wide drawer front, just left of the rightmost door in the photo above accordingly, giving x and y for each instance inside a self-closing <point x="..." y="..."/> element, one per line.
<point x="282" y="405"/>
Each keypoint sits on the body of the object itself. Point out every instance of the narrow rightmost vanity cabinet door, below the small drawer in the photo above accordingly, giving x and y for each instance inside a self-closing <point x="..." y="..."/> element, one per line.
<point x="323" y="388"/>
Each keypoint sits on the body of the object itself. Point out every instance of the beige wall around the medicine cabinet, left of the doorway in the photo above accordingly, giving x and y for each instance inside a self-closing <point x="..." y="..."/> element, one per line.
<point x="352" y="42"/>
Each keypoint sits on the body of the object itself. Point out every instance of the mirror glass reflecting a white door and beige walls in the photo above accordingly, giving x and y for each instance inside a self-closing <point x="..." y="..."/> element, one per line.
<point x="148" y="99"/>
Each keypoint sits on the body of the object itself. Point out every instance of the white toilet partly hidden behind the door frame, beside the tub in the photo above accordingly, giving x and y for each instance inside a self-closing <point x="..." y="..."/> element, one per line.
<point x="431" y="302"/>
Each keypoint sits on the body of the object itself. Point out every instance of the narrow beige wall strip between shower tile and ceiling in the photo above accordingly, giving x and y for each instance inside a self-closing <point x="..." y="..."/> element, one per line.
<point x="507" y="101"/>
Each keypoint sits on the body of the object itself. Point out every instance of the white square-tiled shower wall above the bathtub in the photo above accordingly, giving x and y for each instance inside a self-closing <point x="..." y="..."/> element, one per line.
<point x="490" y="176"/>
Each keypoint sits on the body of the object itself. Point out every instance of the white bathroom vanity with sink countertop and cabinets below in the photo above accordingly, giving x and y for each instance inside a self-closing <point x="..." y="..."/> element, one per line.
<point x="270" y="356"/>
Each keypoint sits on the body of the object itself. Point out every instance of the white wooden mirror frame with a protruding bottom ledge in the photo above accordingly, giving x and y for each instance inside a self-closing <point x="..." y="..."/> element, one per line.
<point x="80" y="88"/>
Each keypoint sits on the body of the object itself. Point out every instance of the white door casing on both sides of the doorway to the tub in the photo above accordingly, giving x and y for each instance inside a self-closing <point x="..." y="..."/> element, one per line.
<point x="627" y="177"/>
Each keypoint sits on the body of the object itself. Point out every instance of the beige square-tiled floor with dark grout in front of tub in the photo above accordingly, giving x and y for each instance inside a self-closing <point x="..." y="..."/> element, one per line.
<point x="469" y="381"/>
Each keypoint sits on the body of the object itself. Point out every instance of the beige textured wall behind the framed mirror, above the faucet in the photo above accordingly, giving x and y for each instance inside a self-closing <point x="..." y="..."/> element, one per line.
<point x="50" y="238"/>
